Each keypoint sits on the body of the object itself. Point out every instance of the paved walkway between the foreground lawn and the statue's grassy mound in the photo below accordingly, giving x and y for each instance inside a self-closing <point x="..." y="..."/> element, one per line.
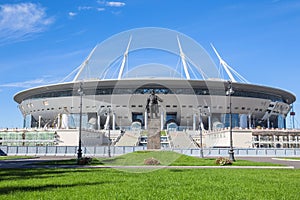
<point x="32" y="163"/>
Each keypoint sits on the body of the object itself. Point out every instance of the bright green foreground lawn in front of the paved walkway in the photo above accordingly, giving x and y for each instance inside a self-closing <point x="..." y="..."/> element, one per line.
<point x="160" y="184"/>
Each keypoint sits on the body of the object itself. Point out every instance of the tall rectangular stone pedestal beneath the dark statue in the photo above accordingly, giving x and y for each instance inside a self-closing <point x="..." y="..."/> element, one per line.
<point x="153" y="141"/>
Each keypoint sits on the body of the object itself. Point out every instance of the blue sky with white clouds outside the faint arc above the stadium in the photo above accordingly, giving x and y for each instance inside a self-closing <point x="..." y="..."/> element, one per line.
<point x="41" y="42"/>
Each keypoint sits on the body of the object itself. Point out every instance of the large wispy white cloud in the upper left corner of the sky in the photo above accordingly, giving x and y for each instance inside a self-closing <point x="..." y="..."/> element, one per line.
<point x="21" y="21"/>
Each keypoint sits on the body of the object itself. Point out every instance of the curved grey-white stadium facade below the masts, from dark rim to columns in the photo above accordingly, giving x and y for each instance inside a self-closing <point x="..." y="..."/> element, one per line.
<point x="185" y="103"/>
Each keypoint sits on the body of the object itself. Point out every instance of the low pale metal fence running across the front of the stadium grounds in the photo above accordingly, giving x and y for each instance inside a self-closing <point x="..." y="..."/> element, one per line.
<point x="102" y="151"/>
